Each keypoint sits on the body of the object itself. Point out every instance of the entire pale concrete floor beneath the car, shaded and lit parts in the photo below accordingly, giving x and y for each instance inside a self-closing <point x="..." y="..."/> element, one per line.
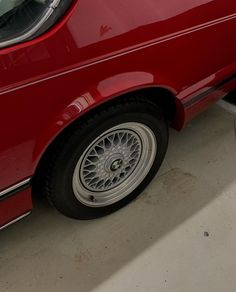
<point x="179" y="235"/>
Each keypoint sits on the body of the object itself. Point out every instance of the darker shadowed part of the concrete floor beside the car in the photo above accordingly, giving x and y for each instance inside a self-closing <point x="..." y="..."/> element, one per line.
<point x="50" y="252"/>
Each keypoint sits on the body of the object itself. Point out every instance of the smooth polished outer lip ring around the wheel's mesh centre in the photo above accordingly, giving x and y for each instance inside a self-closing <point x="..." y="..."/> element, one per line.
<point x="146" y="160"/>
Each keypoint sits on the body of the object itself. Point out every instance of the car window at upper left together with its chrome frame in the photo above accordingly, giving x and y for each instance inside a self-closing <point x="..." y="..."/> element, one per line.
<point x="21" y="19"/>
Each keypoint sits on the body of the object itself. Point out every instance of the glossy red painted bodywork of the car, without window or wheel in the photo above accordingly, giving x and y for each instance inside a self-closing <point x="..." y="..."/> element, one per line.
<point x="98" y="52"/>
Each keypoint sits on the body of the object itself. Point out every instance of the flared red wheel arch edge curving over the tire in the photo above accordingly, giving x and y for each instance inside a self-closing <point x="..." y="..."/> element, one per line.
<point x="106" y="90"/>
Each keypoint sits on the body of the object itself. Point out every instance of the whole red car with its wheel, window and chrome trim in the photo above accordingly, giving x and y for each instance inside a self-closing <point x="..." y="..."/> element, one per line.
<point x="89" y="88"/>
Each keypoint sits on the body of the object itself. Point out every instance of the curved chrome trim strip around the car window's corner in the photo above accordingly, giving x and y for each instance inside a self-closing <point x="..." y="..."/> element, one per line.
<point x="38" y="25"/>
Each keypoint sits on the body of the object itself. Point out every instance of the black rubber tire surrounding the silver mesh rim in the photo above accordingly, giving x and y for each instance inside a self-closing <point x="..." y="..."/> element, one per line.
<point x="62" y="162"/>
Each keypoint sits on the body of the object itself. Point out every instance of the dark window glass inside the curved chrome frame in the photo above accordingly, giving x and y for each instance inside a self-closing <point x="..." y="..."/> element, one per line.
<point x="19" y="16"/>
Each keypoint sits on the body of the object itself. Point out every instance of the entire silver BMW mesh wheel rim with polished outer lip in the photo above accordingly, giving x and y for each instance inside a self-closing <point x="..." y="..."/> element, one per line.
<point x="114" y="164"/>
